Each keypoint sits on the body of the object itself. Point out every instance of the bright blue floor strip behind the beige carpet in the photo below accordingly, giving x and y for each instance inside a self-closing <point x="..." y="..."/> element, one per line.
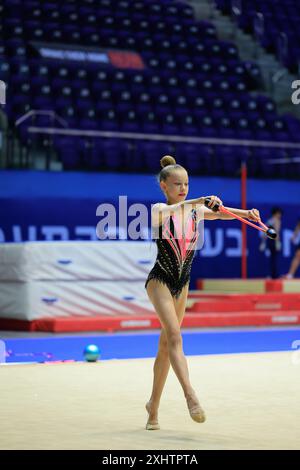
<point x="142" y="345"/>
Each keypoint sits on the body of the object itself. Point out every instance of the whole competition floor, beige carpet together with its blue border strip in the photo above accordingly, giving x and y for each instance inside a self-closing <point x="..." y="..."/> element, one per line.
<point x="248" y="382"/>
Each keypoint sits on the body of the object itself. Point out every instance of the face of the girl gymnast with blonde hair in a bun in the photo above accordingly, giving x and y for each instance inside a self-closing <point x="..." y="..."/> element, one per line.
<point x="176" y="186"/>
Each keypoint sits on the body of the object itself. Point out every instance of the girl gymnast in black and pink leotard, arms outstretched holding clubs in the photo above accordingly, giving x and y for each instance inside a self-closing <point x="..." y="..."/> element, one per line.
<point x="167" y="284"/>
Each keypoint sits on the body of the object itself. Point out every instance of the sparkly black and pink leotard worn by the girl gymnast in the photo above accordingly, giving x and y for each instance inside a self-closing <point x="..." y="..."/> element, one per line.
<point x="176" y="249"/>
